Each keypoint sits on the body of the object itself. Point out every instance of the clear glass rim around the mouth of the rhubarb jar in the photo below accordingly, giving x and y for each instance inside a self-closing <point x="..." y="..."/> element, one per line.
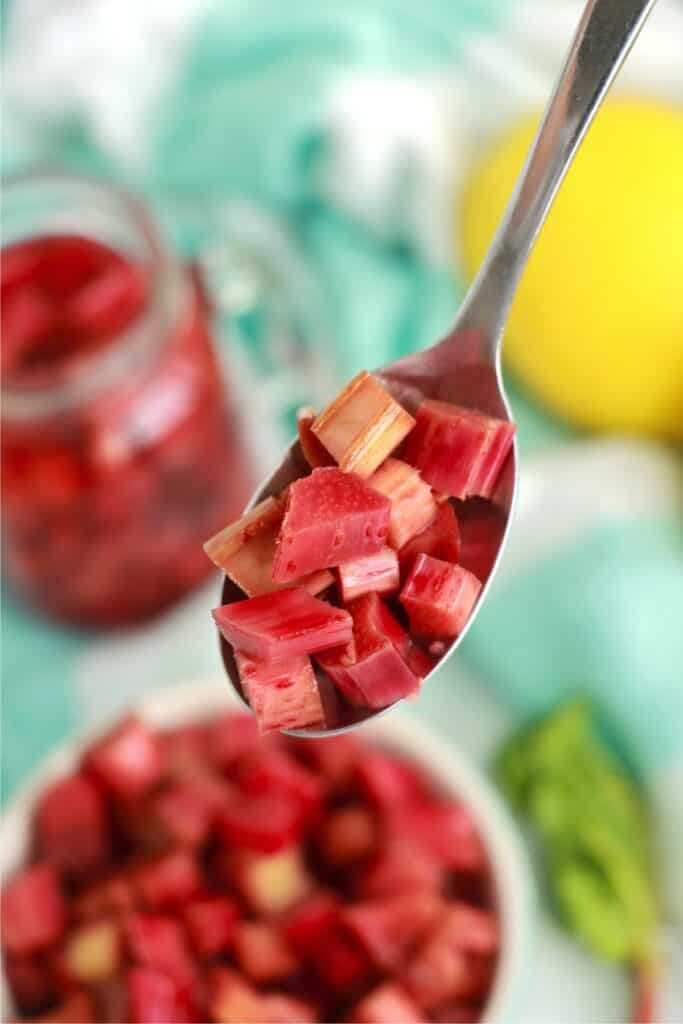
<point x="133" y="349"/>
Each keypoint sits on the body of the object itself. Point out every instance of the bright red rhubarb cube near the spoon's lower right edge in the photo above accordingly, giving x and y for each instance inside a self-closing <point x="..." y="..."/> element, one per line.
<point x="439" y="599"/>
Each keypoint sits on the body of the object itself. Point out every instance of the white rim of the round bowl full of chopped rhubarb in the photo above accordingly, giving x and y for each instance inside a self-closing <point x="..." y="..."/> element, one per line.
<point x="451" y="772"/>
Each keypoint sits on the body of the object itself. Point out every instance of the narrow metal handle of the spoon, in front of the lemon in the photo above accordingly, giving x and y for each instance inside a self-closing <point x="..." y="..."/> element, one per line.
<point x="606" y="34"/>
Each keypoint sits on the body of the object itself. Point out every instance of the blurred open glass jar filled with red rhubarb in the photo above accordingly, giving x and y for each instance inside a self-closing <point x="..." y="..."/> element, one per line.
<point x="120" y="454"/>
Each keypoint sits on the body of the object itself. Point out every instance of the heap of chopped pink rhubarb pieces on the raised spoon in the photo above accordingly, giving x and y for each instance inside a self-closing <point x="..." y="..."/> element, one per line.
<point x="351" y="580"/>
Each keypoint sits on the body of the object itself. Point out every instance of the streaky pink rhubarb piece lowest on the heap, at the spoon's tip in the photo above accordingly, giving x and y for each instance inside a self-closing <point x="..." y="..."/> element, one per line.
<point x="282" y="695"/>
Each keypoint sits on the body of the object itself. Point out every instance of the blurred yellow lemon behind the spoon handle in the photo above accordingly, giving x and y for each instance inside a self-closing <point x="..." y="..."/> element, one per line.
<point x="596" y="330"/>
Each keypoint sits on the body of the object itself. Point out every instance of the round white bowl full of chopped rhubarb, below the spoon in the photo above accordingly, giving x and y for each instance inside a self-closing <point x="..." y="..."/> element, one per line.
<point x="178" y="867"/>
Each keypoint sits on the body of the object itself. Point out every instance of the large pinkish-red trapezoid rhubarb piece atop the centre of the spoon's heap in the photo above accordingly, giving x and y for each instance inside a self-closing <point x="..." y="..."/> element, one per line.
<point x="331" y="518"/>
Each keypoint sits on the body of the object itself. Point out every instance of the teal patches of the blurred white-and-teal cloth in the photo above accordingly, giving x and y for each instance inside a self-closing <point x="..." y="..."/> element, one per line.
<point x="245" y="115"/>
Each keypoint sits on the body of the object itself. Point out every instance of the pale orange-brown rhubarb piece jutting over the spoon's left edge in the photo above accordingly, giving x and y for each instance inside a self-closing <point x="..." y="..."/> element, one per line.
<point x="246" y="549"/>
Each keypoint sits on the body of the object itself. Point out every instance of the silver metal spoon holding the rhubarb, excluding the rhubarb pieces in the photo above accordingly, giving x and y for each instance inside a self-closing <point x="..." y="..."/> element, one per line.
<point x="465" y="367"/>
